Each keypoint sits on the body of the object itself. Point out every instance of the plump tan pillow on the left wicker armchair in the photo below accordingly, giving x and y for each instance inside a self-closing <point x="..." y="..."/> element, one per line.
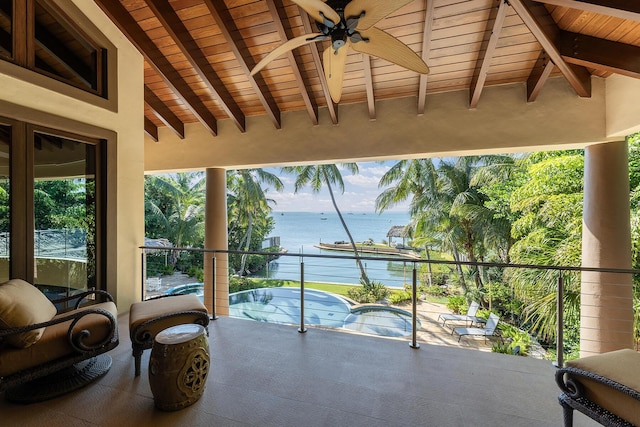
<point x="22" y="304"/>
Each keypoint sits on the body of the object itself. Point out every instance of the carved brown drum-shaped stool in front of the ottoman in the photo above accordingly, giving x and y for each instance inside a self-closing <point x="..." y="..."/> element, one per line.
<point x="179" y="366"/>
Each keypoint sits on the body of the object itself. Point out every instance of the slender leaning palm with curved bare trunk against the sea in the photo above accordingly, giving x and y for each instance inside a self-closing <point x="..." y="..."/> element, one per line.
<point x="317" y="176"/>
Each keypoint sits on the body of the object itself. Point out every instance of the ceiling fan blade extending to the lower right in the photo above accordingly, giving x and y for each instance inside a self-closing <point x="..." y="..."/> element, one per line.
<point x="383" y="45"/>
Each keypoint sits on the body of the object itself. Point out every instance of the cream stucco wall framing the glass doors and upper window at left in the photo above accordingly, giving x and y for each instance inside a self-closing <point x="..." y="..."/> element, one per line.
<point x="37" y="99"/>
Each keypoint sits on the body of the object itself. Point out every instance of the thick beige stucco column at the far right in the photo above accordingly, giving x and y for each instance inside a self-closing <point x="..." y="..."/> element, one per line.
<point x="606" y="315"/>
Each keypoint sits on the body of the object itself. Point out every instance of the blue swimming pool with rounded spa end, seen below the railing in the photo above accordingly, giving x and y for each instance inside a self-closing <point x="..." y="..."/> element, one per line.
<point x="324" y="309"/>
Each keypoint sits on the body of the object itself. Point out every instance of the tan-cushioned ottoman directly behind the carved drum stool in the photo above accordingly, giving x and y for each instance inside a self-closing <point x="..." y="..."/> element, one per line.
<point x="147" y="318"/>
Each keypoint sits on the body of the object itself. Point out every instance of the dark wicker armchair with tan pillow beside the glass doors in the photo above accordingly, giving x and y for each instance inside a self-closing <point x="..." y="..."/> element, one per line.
<point x="45" y="359"/>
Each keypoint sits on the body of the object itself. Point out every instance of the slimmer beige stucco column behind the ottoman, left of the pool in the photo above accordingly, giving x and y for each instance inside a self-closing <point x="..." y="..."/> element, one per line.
<point x="215" y="237"/>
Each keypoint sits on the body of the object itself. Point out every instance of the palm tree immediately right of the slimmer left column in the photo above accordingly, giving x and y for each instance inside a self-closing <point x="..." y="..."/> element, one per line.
<point x="249" y="202"/>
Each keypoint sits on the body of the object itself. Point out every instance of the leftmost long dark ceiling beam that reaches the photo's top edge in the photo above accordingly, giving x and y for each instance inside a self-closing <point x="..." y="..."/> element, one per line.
<point x="181" y="89"/>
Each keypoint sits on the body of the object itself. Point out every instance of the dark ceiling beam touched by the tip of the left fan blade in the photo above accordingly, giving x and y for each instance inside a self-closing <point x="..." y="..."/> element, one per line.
<point x="230" y="32"/>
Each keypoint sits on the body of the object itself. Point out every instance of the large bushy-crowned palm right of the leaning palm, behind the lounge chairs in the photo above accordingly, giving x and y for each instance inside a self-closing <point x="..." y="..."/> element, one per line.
<point x="445" y="204"/>
